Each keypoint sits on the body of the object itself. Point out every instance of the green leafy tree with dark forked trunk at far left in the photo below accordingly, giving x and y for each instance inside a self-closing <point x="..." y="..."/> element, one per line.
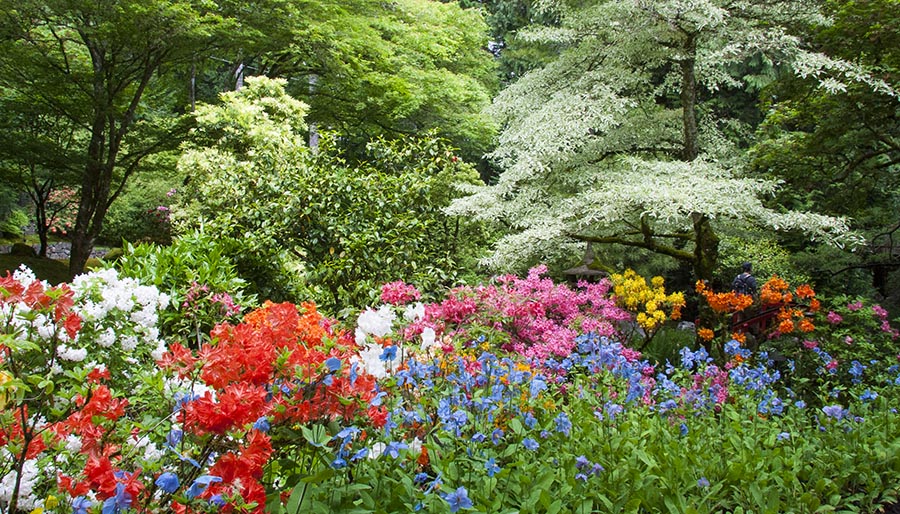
<point x="96" y="65"/>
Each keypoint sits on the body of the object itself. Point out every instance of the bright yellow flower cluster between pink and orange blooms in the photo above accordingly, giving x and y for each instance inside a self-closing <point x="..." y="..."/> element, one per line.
<point x="648" y="302"/>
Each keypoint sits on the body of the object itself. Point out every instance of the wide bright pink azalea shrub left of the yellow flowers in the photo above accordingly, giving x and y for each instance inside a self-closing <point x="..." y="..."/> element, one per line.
<point x="531" y="316"/>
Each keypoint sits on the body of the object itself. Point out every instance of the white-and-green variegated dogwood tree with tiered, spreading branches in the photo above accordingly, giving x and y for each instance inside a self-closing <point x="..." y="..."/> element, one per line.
<point x="618" y="140"/>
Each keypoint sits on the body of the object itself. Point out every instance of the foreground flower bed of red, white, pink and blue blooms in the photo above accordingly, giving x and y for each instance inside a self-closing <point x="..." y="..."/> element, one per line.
<point x="449" y="406"/>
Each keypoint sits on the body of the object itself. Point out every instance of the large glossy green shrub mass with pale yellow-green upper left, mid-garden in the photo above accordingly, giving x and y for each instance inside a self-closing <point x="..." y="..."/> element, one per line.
<point x="344" y="229"/>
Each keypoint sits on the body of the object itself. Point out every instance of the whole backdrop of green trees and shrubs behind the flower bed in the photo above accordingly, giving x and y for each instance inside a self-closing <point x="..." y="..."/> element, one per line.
<point x="441" y="143"/>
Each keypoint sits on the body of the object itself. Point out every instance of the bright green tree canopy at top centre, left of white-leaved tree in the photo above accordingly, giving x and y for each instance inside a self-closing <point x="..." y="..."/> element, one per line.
<point x="369" y="68"/>
